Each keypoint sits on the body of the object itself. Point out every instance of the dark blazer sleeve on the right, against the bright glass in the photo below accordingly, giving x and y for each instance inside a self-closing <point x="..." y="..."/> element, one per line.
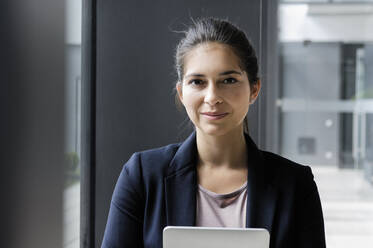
<point x="310" y="221"/>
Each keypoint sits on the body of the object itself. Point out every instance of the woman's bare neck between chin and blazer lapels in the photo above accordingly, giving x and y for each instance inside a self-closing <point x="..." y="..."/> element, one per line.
<point x="228" y="150"/>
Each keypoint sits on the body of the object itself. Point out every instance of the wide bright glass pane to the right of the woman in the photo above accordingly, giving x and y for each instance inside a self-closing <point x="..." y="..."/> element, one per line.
<point x="326" y="110"/>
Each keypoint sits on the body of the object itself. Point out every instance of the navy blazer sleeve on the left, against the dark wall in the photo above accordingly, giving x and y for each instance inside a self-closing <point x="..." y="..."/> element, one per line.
<point x="125" y="221"/>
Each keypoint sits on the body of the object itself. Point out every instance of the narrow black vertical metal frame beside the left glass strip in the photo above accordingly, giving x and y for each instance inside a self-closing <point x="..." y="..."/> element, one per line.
<point x="87" y="205"/>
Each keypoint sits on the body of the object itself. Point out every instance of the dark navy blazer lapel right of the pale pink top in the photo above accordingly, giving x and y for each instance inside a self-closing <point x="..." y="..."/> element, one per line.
<point x="261" y="193"/>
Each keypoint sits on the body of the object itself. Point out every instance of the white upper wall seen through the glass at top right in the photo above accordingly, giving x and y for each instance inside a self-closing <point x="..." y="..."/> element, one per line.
<point x="322" y="22"/>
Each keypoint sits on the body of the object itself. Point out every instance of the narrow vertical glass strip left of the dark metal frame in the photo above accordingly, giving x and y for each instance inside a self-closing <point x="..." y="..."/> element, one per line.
<point x="73" y="124"/>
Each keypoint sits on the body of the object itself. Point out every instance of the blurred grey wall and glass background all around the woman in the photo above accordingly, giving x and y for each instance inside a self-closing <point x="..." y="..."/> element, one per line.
<point x="85" y="83"/>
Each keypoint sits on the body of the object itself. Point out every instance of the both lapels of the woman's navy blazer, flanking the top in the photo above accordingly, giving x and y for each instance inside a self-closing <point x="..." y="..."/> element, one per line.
<point x="181" y="187"/>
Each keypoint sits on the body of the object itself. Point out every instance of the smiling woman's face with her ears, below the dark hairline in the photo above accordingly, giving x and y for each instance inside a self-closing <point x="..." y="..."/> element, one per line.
<point x="215" y="91"/>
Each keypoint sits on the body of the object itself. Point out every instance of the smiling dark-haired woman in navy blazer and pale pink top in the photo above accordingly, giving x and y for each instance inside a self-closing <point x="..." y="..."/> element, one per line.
<point x="217" y="176"/>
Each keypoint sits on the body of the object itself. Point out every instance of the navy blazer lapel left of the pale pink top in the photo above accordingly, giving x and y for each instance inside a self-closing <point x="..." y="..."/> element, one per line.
<point x="181" y="185"/>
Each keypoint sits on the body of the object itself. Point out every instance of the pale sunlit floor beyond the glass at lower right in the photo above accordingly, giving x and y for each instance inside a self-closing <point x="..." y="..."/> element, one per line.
<point x="347" y="202"/>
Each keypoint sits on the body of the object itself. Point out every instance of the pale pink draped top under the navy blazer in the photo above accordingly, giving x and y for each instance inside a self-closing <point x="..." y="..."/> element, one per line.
<point x="221" y="210"/>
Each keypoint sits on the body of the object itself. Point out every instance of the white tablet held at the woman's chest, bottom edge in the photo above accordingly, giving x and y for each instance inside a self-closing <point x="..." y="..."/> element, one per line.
<point x="214" y="237"/>
